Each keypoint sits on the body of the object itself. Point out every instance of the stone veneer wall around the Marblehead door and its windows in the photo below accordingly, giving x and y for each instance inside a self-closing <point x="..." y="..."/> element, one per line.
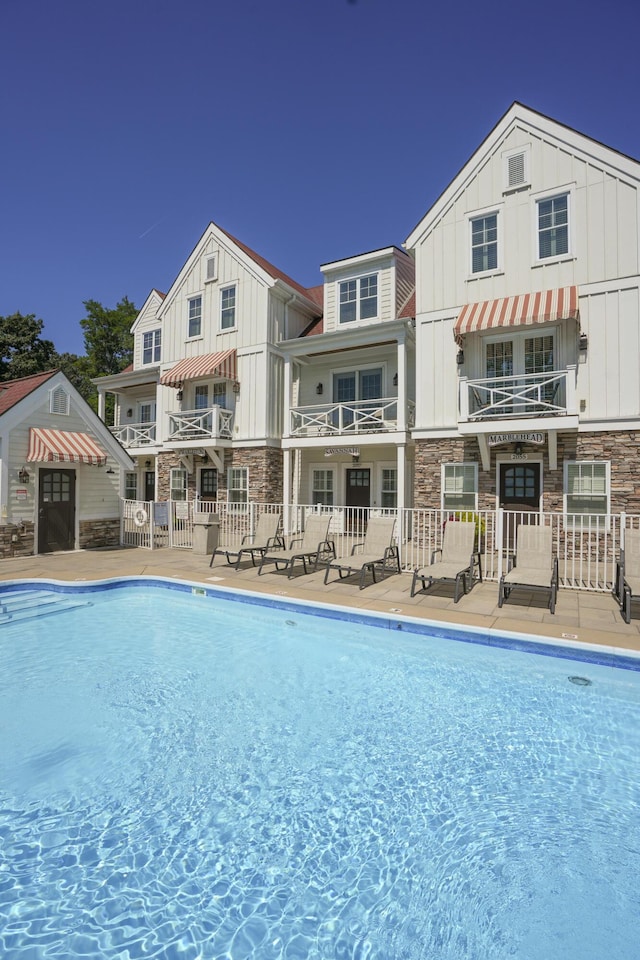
<point x="622" y="449"/>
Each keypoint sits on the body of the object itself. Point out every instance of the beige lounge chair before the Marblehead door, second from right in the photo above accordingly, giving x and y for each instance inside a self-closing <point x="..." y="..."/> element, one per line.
<point x="535" y="566"/>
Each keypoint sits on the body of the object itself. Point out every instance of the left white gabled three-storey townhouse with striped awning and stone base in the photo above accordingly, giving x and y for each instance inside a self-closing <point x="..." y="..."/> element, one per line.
<point x="200" y="410"/>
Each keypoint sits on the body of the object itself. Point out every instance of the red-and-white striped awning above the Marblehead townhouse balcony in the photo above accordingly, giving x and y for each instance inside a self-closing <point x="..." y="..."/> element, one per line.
<point x="528" y="308"/>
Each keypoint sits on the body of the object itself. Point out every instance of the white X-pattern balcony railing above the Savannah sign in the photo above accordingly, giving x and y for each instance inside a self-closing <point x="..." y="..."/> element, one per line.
<point x="356" y="417"/>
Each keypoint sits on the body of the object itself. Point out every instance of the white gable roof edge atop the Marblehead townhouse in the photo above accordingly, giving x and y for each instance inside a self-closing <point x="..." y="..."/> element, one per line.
<point x="544" y="126"/>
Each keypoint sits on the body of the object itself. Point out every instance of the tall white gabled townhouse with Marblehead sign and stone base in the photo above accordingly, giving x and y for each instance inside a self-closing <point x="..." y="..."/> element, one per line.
<point x="528" y="327"/>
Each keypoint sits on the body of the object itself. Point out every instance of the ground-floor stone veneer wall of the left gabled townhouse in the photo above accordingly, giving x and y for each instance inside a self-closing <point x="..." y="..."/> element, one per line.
<point x="265" y="473"/>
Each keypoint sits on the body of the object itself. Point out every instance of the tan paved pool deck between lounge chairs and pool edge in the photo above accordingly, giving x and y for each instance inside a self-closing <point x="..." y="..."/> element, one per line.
<point x="580" y="615"/>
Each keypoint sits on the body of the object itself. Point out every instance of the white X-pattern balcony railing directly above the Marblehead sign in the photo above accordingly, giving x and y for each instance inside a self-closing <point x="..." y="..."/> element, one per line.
<point x="530" y="395"/>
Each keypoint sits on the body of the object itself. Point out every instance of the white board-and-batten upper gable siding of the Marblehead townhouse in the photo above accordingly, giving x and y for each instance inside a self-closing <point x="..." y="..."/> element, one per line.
<point x="603" y="223"/>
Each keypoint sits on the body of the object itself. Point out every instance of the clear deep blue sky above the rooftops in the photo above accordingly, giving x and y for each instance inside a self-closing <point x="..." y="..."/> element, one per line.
<point x="310" y="129"/>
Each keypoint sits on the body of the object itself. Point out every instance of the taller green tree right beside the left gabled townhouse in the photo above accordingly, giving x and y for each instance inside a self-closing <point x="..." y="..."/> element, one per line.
<point x="107" y="339"/>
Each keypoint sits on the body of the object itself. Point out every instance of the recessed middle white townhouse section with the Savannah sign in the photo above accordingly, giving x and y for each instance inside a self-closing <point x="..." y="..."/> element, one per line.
<point x="349" y="388"/>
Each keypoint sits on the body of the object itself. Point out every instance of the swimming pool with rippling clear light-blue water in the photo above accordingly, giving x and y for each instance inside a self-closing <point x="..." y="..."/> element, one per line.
<point x="207" y="776"/>
